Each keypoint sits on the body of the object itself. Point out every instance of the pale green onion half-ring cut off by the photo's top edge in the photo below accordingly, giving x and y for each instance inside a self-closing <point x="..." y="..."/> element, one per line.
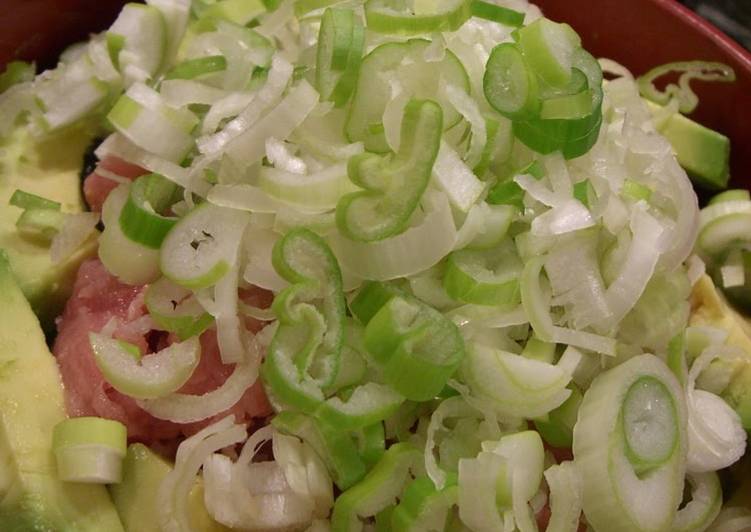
<point x="423" y="17"/>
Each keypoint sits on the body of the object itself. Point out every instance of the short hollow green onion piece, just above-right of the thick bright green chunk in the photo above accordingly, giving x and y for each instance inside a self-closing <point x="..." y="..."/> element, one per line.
<point x="484" y="277"/>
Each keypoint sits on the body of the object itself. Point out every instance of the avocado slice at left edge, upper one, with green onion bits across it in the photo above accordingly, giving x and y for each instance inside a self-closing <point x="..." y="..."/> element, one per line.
<point x="49" y="168"/>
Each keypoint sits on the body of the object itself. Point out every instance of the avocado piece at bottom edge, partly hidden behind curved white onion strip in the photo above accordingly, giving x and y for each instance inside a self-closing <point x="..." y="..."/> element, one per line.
<point x="135" y="497"/>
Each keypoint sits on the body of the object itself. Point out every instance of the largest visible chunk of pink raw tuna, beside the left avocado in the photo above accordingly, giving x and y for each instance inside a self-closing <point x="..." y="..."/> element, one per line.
<point x="97" y="298"/>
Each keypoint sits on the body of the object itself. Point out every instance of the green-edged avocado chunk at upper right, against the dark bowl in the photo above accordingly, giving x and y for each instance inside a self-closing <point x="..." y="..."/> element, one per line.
<point x="702" y="152"/>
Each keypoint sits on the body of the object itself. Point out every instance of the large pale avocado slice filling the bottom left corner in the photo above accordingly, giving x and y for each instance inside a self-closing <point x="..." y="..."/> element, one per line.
<point x="32" y="498"/>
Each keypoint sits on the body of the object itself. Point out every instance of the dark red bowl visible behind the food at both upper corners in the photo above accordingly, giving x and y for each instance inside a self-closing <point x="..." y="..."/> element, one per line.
<point x="639" y="34"/>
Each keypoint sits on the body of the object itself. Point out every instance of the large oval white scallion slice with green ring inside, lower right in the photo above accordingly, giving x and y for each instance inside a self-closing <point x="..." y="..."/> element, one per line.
<point x="630" y="446"/>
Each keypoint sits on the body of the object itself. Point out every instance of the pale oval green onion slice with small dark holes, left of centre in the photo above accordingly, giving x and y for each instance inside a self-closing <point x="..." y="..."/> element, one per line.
<point x="201" y="247"/>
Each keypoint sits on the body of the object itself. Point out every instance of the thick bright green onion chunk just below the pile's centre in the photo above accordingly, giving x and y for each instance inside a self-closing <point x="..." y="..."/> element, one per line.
<point x="417" y="347"/>
